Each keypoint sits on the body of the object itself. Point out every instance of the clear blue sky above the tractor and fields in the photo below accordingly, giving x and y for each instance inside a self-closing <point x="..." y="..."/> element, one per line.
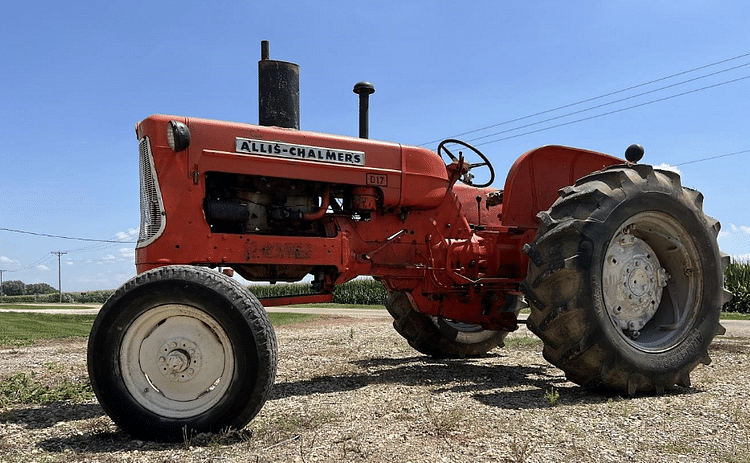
<point x="77" y="76"/>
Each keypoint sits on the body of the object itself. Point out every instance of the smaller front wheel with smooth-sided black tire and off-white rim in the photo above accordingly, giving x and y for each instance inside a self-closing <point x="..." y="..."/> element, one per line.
<point x="181" y="349"/>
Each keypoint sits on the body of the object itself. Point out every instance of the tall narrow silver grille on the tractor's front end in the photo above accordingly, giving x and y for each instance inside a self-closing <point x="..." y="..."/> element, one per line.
<point x="152" y="208"/>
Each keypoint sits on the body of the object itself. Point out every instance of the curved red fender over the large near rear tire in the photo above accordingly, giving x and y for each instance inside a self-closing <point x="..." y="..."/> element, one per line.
<point x="535" y="178"/>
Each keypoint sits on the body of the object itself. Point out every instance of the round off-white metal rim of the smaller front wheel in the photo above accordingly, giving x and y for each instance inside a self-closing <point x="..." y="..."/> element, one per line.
<point x="176" y="361"/>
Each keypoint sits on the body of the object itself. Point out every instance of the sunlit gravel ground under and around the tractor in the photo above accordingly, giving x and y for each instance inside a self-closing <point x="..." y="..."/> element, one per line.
<point x="350" y="389"/>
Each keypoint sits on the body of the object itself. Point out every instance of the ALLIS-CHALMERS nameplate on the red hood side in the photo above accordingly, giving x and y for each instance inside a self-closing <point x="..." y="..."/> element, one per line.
<point x="312" y="153"/>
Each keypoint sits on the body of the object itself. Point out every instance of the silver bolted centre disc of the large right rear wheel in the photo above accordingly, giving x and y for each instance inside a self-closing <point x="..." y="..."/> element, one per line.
<point x="633" y="282"/>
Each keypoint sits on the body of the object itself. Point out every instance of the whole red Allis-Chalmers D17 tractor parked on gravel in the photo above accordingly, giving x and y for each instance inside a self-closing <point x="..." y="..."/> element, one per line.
<point x="617" y="261"/>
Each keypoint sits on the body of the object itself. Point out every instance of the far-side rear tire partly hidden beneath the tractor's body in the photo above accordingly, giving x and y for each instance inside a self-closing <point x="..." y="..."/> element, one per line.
<point x="440" y="337"/>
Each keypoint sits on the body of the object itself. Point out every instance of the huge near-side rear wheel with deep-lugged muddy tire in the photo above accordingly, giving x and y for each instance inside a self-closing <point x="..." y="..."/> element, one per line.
<point x="625" y="281"/>
